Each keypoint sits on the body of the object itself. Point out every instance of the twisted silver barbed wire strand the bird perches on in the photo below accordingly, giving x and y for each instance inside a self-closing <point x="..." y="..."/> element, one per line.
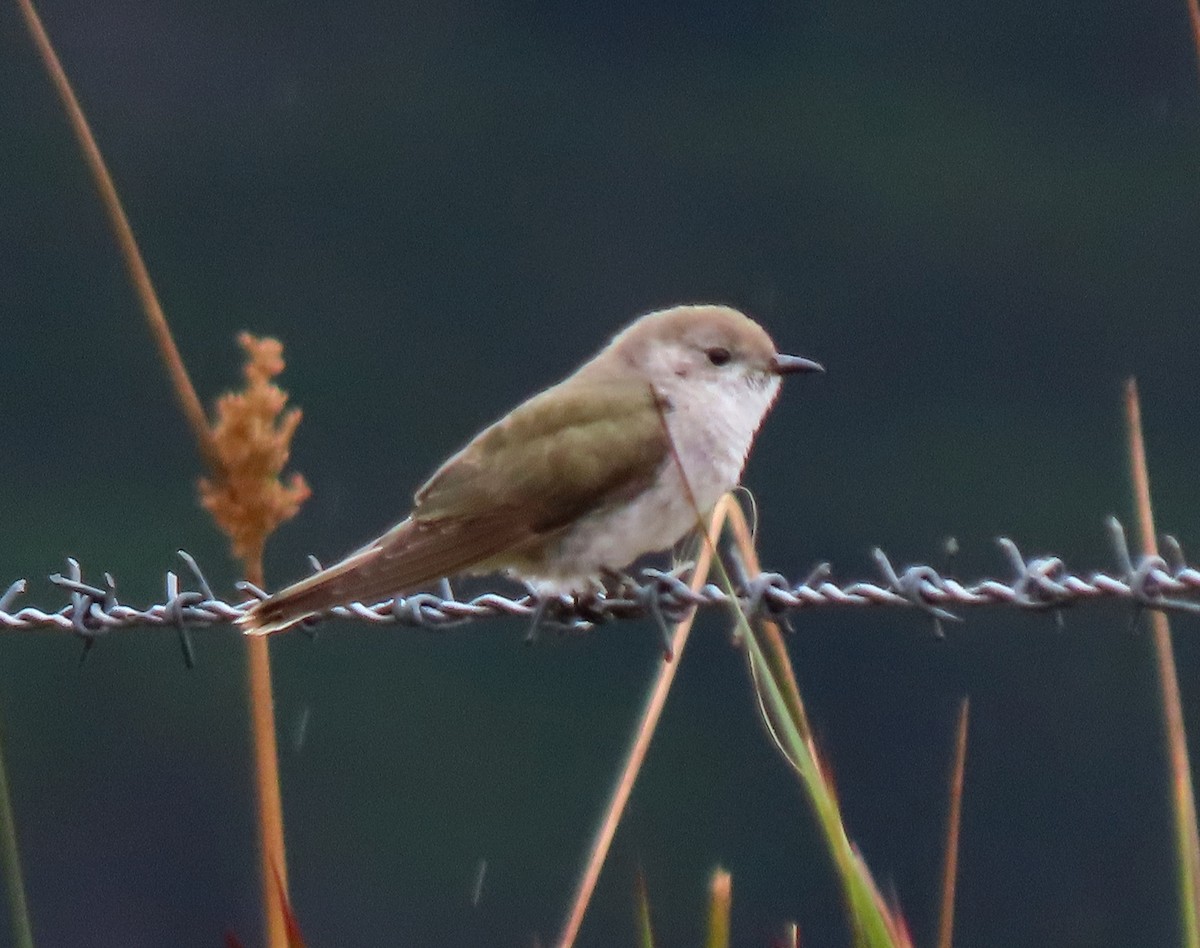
<point x="1041" y="585"/>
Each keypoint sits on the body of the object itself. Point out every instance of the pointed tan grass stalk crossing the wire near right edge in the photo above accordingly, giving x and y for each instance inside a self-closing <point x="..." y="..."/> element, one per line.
<point x="1187" y="848"/>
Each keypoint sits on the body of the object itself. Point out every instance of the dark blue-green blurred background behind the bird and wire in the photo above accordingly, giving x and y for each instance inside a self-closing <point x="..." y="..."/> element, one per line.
<point x="981" y="217"/>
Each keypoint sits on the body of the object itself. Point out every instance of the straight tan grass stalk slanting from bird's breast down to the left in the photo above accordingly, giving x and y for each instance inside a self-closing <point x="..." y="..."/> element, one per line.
<point x="649" y="722"/>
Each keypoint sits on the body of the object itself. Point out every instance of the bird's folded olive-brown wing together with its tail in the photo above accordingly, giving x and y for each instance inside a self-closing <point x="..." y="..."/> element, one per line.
<point x="555" y="459"/>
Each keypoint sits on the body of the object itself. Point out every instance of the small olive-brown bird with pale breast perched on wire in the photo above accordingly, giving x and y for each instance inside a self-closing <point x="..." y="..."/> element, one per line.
<point x="616" y="461"/>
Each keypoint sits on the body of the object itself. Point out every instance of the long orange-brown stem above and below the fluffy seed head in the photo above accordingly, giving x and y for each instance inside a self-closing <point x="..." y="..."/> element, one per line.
<point x="271" y="811"/>
